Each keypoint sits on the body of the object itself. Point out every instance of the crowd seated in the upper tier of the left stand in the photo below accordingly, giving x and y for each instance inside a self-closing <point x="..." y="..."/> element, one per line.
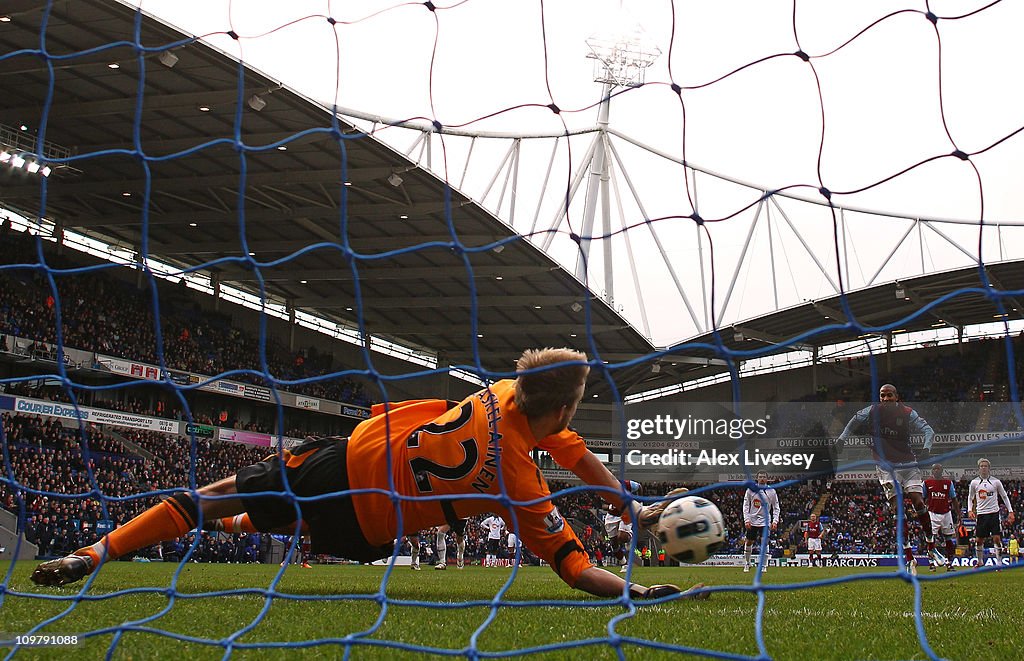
<point x="106" y="316"/>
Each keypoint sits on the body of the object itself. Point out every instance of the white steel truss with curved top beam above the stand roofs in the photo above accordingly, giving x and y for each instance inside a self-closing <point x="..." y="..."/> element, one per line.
<point x="773" y="250"/>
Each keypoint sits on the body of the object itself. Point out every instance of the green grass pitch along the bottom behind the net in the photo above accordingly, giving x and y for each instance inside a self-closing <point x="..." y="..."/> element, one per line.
<point x="966" y="615"/>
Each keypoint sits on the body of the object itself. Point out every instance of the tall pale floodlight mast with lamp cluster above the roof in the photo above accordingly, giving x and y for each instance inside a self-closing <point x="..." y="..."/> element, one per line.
<point x="621" y="60"/>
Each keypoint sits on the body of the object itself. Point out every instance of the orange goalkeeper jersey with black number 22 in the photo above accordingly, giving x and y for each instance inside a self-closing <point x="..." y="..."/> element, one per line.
<point x="470" y="450"/>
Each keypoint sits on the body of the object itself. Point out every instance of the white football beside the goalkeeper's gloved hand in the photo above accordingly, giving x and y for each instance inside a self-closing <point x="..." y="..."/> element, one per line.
<point x="692" y="530"/>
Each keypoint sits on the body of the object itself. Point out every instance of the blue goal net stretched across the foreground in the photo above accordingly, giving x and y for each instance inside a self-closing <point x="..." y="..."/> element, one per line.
<point x="352" y="259"/>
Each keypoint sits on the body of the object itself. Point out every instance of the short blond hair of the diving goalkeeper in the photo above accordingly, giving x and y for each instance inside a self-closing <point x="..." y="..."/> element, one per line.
<point x="543" y="392"/>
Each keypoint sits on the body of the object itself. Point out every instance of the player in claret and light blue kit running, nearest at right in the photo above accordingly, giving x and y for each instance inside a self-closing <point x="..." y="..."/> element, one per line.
<point x="891" y="424"/>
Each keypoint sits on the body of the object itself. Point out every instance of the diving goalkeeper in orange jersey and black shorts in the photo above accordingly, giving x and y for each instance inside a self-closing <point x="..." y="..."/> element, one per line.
<point x="438" y="449"/>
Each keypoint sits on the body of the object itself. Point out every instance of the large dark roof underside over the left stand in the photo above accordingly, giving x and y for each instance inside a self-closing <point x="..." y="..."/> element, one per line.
<point x="191" y="108"/>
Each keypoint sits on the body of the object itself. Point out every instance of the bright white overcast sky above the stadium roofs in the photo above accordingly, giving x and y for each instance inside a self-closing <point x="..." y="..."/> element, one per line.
<point x="762" y="125"/>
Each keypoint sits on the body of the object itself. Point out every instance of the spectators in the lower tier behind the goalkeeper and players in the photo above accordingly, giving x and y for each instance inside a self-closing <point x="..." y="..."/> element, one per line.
<point x="48" y="458"/>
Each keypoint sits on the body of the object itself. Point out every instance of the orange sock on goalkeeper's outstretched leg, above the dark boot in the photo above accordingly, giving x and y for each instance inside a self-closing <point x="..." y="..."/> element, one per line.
<point x="173" y="518"/>
